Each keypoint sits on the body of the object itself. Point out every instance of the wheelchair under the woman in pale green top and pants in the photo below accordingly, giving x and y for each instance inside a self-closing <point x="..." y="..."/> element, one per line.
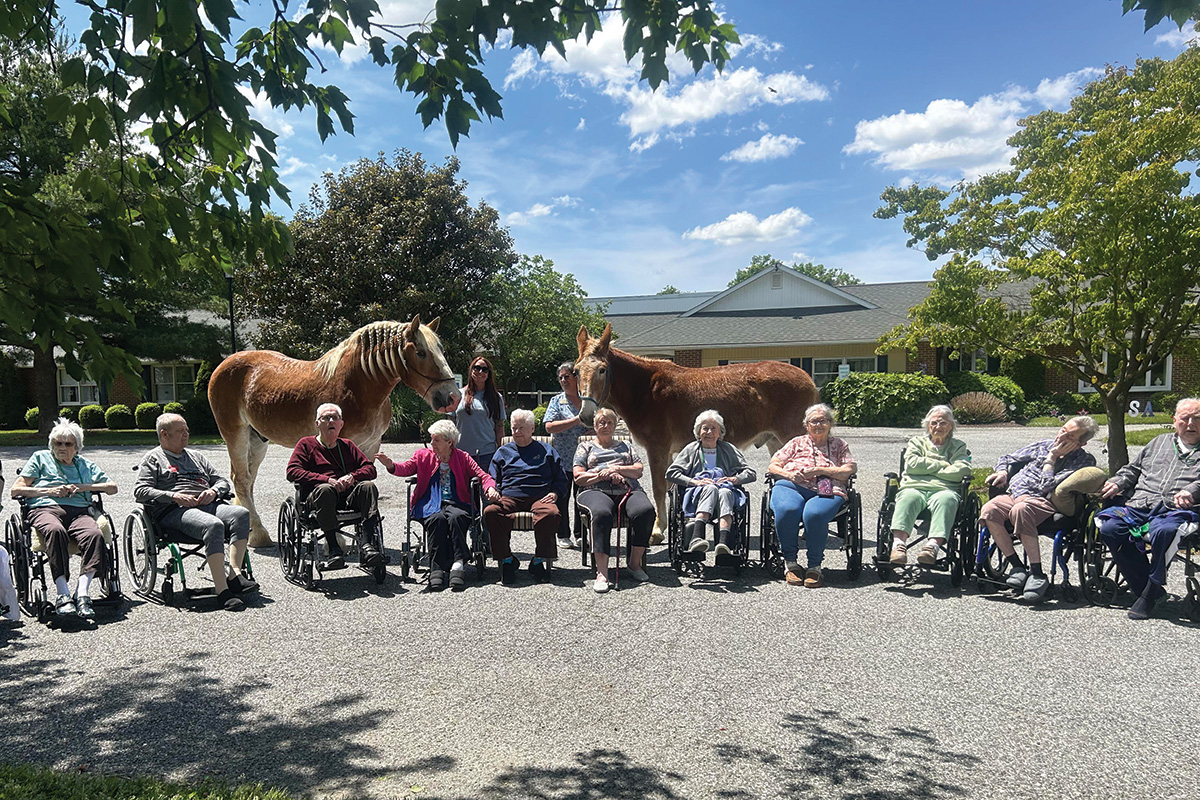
<point x="959" y="552"/>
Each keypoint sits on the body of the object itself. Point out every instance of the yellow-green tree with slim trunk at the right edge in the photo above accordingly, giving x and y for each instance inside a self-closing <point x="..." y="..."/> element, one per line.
<point x="1089" y="244"/>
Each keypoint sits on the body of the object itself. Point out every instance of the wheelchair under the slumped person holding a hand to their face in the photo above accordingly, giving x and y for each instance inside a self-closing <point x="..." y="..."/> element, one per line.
<point x="1067" y="533"/>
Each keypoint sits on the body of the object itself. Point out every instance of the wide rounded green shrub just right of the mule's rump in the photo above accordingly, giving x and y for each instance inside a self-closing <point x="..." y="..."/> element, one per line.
<point x="887" y="399"/>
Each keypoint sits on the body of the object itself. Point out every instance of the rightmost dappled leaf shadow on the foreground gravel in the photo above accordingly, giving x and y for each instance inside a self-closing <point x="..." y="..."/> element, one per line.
<point x="838" y="756"/>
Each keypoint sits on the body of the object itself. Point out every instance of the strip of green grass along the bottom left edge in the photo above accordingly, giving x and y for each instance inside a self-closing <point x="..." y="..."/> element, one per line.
<point x="26" y="783"/>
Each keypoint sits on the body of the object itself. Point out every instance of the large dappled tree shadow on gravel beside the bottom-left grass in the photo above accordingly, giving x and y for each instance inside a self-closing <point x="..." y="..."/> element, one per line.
<point x="183" y="721"/>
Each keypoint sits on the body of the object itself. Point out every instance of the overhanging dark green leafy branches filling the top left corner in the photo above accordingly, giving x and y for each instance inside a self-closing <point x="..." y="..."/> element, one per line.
<point x="175" y="73"/>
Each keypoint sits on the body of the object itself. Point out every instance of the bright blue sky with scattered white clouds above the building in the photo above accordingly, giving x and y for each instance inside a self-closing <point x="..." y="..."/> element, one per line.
<point x="787" y="153"/>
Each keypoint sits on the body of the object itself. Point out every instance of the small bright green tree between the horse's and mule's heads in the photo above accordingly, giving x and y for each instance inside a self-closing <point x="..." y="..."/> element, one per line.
<point x="537" y="318"/>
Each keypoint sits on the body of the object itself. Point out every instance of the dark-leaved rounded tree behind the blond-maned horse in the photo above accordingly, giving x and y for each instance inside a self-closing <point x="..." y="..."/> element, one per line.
<point x="382" y="240"/>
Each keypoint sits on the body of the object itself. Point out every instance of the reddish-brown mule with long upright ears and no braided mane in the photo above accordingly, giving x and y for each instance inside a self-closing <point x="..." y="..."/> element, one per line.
<point x="763" y="404"/>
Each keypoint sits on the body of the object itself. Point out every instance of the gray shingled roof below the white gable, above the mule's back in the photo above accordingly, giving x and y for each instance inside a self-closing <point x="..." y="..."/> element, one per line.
<point x="776" y="327"/>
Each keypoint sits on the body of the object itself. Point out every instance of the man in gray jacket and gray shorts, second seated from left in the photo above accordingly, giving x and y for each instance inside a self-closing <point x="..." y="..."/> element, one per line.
<point x="184" y="492"/>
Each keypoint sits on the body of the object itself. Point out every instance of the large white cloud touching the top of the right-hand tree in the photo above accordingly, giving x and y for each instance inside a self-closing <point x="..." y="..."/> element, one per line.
<point x="952" y="140"/>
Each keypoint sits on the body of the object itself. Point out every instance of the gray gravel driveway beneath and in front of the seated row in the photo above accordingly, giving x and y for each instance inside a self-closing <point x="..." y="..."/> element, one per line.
<point x="730" y="688"/>
